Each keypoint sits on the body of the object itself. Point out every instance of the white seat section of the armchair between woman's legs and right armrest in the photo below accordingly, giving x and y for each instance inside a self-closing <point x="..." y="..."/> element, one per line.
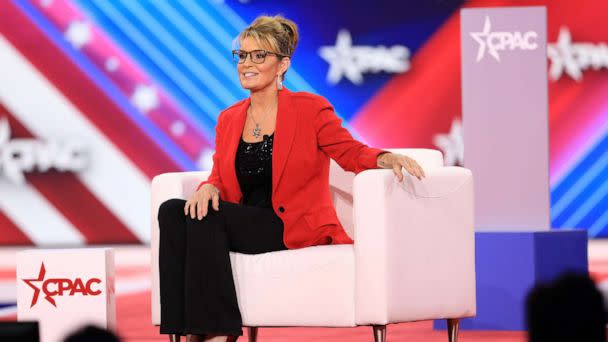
<point x="311" y="286"/>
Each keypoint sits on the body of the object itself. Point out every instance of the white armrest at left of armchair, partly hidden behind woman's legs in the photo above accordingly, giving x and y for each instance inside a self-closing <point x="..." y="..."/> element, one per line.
<point x="166" y="186"/>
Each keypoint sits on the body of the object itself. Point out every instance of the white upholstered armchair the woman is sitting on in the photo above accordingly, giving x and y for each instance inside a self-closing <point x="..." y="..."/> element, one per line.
<point x="413" y="257"/>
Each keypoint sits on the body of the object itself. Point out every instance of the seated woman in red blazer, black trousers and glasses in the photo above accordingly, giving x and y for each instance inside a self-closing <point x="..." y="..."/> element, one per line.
<point x="269" y="187"/>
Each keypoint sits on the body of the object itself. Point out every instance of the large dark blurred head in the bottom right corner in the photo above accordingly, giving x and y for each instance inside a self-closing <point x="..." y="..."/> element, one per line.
<point x="570" y="309"/>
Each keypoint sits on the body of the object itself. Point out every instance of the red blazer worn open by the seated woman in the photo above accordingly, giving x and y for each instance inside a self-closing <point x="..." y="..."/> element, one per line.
<point x="307" y="134"/>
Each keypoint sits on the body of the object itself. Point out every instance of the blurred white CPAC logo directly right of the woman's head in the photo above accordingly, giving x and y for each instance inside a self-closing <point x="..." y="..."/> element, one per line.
<point x="353" y="61"/>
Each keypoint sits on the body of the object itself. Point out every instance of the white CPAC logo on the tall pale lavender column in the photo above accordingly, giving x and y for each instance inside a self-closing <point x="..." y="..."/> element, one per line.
<point x="493" y="42"/>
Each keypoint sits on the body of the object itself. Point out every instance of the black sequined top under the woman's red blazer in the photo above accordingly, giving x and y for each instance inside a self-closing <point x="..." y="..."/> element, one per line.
<point x="253" y="164"/>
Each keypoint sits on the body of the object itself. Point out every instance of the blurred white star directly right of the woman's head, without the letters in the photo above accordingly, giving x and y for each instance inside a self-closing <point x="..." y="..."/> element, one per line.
<point x="341" y="60"/>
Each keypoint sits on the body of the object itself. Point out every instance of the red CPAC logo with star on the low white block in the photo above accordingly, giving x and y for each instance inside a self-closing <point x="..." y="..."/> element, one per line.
<point x="61" y="286"/>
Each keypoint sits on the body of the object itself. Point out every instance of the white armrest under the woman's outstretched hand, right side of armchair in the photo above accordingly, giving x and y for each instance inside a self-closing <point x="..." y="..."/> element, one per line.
<point x="414" y="246"/>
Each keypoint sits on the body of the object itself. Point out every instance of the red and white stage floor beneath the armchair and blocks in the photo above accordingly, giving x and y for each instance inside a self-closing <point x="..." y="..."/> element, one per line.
<point x="133" y="304"/>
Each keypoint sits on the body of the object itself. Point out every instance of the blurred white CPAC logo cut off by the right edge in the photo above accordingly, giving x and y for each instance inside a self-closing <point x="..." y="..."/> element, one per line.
<point x="574" y="58"/>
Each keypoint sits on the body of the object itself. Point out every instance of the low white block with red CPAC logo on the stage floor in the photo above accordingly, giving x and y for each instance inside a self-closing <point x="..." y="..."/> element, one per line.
<point x="65" y="289"/>
